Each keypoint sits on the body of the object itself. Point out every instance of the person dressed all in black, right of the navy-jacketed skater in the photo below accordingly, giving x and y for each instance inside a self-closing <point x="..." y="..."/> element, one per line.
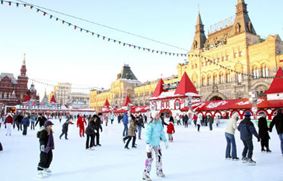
<point x="263" y="133"/>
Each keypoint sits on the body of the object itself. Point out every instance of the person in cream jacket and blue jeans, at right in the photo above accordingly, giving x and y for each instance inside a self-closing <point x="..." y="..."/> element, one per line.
<point x="230" y="138"/>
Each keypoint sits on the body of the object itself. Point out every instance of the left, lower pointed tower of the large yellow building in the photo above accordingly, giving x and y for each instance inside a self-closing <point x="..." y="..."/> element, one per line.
<point x="199" y="38"/>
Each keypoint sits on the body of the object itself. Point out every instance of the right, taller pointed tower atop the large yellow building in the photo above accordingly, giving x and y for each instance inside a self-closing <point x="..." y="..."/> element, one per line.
<point x="242" y="21"/>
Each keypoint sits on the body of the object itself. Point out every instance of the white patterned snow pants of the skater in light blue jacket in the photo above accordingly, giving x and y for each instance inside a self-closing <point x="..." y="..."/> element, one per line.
<point x="149" y="160"/>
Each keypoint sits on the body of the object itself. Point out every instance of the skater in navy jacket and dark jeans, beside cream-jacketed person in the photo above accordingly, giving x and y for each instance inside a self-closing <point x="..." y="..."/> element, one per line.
<point x="247" y="130"/>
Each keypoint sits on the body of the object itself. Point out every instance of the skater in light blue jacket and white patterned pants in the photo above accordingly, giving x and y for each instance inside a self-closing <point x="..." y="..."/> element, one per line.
<point x="154" y="133"/>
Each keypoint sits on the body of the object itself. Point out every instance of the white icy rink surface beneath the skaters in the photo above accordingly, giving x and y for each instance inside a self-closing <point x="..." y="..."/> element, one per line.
<point x="192" y="156"/>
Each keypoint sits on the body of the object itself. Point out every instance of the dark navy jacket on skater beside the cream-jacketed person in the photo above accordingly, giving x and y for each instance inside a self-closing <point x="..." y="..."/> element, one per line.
<point x="247" y="129"/>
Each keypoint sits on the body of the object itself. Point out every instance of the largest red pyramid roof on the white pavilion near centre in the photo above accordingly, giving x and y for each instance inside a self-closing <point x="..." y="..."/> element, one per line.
<point x="185" y="86"/>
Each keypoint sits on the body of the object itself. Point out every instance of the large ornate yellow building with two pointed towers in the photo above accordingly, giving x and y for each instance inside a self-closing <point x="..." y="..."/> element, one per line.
<point x="232" y="60"/>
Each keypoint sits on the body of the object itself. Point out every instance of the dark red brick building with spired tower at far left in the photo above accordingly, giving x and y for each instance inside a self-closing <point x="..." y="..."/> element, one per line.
<point x="12" y="90"/>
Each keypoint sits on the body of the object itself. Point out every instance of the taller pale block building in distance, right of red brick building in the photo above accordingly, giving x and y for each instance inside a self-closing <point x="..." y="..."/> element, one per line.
<point x="62" y="92"/>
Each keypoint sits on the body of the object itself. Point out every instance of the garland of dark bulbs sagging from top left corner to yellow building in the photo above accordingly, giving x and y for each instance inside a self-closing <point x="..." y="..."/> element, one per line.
<point x="97" y="35"/>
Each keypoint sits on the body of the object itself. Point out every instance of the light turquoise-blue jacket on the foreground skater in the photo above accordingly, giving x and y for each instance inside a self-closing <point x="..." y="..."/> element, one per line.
<point x="154" y="133"/>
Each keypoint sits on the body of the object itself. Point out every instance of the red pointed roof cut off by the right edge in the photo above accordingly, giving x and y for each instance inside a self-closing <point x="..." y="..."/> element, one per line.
<point x="277" y="84"/>
